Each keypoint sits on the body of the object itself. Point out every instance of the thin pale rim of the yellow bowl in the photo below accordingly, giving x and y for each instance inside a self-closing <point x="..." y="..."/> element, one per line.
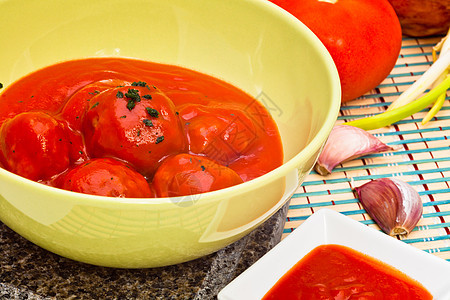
<point x="273" y="175"/>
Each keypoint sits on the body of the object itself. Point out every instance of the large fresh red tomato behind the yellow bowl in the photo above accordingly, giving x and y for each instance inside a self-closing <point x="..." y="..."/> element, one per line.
<point x="363" y="37"/>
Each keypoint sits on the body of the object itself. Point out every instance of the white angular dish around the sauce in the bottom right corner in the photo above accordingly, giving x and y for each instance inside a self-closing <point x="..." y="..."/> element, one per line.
<point x="329" y="227"/>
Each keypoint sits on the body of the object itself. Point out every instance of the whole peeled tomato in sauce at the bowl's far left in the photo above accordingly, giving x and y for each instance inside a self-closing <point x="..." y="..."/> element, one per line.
<point x="34" y="145"/>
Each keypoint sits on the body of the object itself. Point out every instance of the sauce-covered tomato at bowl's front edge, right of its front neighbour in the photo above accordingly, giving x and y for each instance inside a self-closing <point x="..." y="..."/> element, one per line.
<point x="187" y="174"/>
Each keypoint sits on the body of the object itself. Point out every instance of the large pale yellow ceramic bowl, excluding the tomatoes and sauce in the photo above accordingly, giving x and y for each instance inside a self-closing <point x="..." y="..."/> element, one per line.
<point x="250" y="43"/>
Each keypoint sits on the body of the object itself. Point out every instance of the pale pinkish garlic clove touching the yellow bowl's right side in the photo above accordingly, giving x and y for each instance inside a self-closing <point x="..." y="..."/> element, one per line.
<point x="346" y="143"/>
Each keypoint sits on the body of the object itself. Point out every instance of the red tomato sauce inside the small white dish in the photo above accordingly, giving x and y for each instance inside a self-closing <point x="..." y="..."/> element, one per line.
<point x="338" y="272"/>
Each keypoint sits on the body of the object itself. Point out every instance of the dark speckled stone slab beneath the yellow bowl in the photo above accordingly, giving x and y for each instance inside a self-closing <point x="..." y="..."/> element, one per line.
<point x="29" y="272"/>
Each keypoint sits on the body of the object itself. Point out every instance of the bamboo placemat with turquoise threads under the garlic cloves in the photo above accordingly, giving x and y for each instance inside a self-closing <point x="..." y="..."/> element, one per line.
<point x="421" y="158"/>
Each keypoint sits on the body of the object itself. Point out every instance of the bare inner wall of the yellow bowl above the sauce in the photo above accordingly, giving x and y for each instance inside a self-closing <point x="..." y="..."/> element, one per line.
<point x="267" y="59"/>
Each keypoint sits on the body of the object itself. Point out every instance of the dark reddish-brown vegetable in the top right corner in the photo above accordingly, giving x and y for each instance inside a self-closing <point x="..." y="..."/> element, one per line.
<point x="420" y="18"/>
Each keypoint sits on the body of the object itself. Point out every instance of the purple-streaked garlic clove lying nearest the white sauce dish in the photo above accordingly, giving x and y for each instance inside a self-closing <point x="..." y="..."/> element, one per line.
<point x="393" y="204"/>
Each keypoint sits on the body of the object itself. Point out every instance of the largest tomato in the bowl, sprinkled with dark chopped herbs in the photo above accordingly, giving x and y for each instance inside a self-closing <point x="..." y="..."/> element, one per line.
<point x="112" y="129"/>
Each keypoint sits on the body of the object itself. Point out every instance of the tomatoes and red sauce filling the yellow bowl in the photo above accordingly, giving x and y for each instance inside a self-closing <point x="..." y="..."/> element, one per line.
<point x="110" y="126"/>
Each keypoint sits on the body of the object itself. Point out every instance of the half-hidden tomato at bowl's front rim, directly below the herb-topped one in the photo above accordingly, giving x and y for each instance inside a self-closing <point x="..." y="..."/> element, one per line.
<point x="106" y="177"/>
